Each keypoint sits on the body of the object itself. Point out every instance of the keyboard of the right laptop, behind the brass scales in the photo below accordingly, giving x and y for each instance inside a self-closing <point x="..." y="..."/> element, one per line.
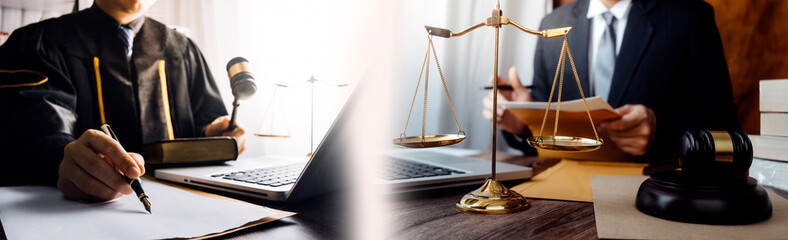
<point x="403" y="169"/>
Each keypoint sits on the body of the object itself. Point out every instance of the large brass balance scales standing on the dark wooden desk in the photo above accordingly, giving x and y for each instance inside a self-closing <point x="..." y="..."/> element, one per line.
<point x="493" y="197"/>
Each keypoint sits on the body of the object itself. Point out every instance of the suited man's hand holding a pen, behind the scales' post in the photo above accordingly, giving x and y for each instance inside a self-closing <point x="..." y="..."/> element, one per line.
<point x="506" y="120"/>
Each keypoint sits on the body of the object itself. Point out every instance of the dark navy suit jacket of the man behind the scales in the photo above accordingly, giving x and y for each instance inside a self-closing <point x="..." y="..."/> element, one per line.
<point x="671" y="60"/>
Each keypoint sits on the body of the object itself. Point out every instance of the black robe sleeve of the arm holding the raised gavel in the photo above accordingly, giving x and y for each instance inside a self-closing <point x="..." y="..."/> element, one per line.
<point x="206" y="102"/>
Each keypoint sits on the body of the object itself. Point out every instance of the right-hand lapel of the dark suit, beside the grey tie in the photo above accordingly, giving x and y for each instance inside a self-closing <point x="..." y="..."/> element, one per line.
<point x="637" y="37"/>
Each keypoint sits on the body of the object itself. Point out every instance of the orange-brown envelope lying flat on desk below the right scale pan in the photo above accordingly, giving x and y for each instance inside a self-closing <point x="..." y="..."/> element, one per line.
<point x="571" y="180"/>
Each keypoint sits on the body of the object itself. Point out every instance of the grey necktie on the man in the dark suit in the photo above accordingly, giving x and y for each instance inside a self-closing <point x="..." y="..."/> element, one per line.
<point x="605" y="63"/>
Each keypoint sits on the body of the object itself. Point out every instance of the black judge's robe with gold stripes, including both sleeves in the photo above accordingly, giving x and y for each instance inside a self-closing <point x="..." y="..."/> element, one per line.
<point x="49" y="90"/>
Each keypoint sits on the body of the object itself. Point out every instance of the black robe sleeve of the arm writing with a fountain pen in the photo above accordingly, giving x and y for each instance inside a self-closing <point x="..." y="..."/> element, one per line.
<point x="37" y="102"/>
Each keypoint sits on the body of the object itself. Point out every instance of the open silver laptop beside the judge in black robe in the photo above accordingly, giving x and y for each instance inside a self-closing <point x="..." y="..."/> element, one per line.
<point x="276" y="178"/>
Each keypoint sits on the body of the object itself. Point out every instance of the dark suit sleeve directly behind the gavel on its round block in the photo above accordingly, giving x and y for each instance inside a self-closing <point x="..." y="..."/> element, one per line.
<point x="706" y="102"/>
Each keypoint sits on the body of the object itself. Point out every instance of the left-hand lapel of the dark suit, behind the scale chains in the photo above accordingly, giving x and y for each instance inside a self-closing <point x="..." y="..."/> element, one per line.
<point x="578" y="44"/>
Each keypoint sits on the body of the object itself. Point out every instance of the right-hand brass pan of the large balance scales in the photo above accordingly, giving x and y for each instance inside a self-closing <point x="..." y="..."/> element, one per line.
<point x="564" y="143"/>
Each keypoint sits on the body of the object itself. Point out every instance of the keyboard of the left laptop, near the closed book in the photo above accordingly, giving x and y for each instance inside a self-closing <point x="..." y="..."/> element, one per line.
<point x="273" y="176"/>
